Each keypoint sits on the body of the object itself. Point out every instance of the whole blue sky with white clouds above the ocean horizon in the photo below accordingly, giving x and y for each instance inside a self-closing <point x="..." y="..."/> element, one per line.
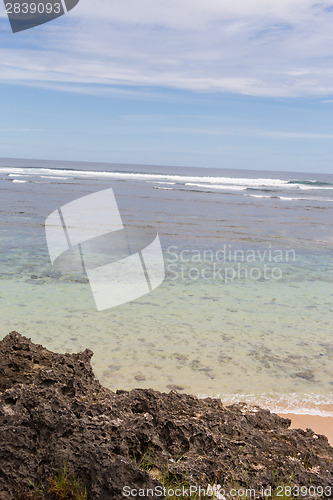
<point x="244" y="84"/>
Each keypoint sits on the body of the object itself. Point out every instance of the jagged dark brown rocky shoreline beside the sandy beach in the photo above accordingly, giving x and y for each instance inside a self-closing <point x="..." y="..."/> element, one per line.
<point x="53" y="412"/>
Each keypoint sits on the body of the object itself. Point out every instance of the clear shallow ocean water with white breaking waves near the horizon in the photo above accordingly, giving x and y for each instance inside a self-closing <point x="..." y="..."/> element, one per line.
<point x="245" y="311"/>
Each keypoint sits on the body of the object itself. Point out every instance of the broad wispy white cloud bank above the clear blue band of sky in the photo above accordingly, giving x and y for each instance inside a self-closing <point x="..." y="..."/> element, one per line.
<point x="250" y="47"/>
